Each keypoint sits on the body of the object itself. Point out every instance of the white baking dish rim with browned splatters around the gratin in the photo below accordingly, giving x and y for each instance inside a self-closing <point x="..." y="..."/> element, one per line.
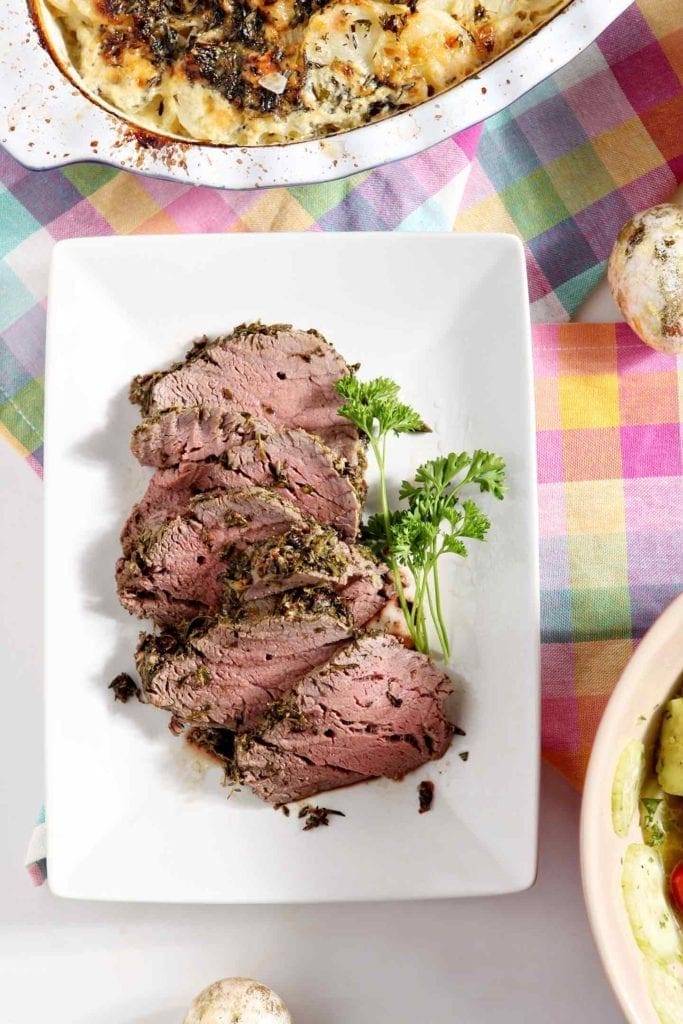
<point x="48" y="121"/>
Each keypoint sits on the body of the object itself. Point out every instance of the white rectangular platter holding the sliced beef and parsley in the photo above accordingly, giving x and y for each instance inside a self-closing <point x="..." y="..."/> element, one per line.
<point x="133" y="815"/>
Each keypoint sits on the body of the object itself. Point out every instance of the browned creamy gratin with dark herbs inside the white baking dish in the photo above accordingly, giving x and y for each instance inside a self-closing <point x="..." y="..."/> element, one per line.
<point x="265" y="72"/>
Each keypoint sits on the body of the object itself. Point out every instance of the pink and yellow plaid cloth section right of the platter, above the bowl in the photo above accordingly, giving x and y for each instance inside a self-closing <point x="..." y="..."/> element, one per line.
<point x="610" y="446"/>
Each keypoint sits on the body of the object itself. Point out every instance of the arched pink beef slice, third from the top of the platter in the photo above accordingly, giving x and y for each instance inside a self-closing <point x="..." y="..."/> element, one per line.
<point x="296" y="464"/>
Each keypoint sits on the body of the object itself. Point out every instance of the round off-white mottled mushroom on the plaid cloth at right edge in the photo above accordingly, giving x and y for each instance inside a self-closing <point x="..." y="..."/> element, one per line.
<point x="647" y="277"/>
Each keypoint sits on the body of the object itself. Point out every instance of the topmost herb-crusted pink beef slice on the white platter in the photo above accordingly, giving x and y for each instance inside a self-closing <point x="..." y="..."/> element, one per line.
<point x="277" y="373"/>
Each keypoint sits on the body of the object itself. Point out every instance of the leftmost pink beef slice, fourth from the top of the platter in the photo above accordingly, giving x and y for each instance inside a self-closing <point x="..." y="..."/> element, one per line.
<point x="175" y="573"/>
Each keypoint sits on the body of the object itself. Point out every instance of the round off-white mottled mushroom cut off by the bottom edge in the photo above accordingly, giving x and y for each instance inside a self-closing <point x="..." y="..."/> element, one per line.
<point x="238" y="1001"/>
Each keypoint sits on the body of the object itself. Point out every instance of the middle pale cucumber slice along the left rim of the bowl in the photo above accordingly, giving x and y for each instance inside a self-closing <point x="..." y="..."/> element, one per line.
<point x="644" y="885"/>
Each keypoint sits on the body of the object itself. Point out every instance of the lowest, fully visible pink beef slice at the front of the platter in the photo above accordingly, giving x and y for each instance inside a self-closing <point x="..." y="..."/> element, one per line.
<point x="376" y="709"/>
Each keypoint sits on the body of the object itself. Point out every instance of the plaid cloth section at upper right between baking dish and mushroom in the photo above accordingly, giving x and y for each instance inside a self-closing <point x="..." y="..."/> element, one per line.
<point x="570" y="163"/>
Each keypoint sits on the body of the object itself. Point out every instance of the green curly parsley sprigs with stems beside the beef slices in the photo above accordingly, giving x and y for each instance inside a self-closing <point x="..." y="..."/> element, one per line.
<point x="437" y="519"/>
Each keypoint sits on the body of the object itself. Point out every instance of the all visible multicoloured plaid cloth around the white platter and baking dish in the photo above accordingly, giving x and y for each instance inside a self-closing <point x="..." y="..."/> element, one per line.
<point x="565" y="167"/>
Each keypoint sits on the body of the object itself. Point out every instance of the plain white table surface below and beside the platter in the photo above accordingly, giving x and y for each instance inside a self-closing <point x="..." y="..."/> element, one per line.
<point x="517" y="960"/>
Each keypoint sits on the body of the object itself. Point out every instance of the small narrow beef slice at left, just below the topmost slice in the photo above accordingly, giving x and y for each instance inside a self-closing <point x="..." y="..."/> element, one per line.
<point x="177" y="436"/>
